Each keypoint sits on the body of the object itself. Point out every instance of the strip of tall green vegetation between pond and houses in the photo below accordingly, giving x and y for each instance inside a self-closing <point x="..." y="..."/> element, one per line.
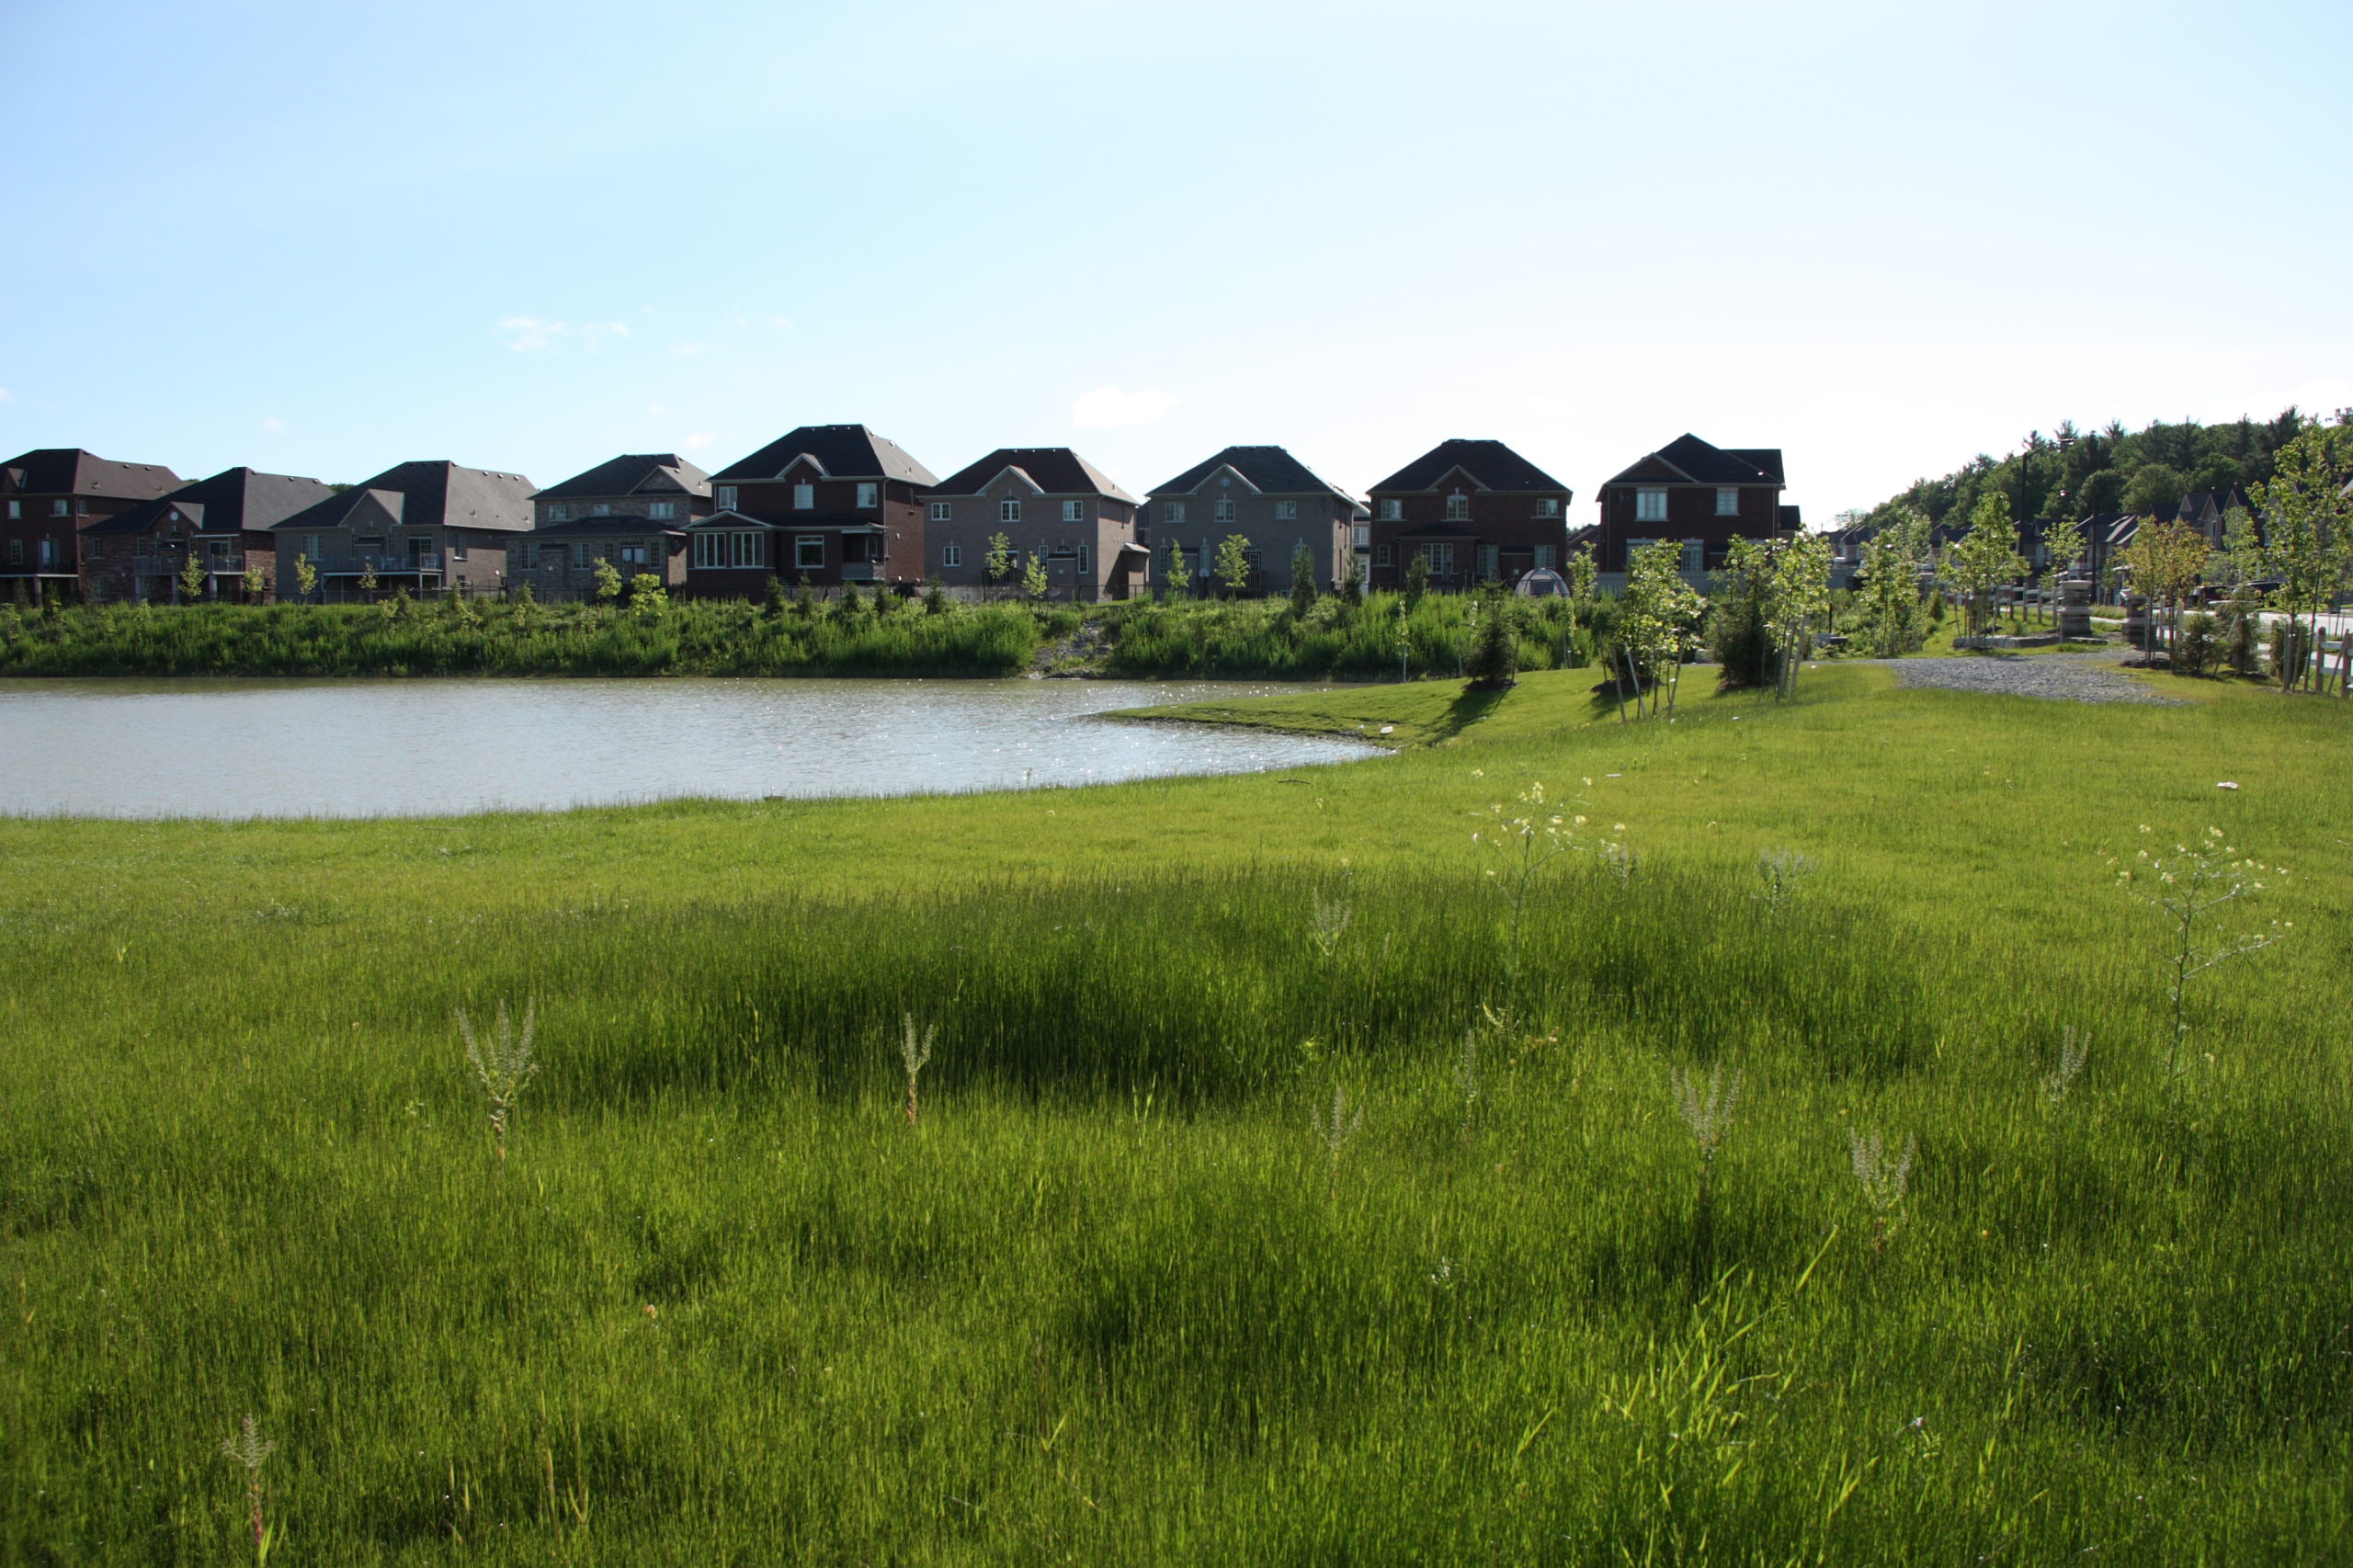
<point x="1248" y="639"/>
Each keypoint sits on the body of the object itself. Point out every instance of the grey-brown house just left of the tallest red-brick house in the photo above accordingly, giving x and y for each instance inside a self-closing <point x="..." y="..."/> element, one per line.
<point x="632" y="512"/>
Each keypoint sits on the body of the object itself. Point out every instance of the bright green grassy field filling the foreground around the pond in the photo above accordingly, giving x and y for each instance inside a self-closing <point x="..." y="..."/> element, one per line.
<point x="1121" y="1296"/>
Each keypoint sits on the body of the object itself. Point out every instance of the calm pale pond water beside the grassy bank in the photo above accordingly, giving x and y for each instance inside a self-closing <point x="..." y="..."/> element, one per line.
<point x="432" y="748"/>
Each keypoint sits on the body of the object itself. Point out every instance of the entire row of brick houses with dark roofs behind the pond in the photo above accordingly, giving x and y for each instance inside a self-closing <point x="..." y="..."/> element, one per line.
<point x="841" y="505"/>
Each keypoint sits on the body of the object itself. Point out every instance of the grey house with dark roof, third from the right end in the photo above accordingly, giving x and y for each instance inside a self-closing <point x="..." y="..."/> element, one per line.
<point x="1265" y="496"/>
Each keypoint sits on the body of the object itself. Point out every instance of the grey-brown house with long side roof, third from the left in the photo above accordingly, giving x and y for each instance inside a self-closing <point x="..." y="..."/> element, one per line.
<point x="422" y="526"/>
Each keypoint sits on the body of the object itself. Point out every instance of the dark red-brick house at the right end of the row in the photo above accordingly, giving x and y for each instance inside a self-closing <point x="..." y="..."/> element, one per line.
<point x="1693" y="493"/>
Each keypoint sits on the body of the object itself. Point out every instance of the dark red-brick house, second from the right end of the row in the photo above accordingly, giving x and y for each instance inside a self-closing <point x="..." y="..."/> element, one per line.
<point x="1474" y="512"/>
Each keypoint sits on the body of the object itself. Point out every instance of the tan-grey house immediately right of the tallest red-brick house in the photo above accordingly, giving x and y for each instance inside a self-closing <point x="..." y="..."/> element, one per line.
<point x="1053" y="507"/>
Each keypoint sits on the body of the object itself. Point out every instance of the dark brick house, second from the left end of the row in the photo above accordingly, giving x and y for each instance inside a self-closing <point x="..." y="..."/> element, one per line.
<point x="222" y="521"/>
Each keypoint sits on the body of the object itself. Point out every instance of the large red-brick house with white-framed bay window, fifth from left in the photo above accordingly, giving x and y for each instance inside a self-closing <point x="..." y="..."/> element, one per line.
<point x="829" y="503"/>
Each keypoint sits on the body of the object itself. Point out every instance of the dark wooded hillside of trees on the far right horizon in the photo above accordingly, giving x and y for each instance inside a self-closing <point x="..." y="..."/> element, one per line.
<point x="2081" y="474"/>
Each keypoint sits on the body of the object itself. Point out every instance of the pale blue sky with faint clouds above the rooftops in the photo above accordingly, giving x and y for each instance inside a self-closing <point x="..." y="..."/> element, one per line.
<point x="531" y="237"/>
